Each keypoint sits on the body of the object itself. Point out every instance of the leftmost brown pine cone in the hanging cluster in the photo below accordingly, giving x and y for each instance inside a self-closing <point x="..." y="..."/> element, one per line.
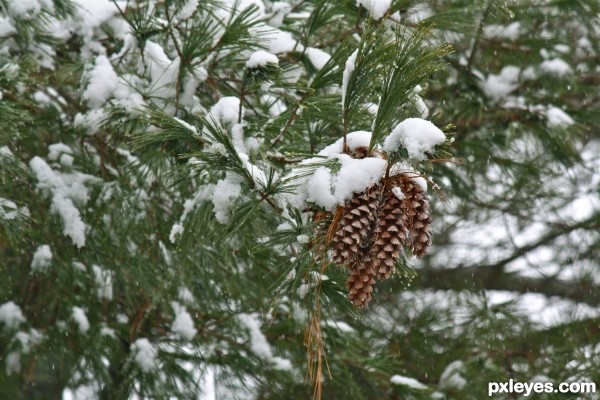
<point x="356" y="226"/>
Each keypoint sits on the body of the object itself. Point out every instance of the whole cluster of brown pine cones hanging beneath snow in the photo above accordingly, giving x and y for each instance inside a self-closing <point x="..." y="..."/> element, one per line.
<point x="373" y="228"/>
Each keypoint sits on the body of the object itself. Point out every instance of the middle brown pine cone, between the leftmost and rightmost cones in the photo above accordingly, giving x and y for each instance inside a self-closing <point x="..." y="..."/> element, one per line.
<point x="390" y="236"/>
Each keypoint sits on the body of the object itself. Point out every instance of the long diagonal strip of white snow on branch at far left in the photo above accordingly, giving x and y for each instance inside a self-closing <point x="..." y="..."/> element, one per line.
<point x="62" y="194"/>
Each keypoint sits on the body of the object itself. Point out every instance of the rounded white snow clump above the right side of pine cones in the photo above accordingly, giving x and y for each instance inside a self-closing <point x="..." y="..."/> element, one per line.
<point x="416" y="135"/>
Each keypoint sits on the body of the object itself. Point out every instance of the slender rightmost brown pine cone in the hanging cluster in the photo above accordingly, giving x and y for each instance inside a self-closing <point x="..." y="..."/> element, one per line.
<point x="419" y="217"/>
